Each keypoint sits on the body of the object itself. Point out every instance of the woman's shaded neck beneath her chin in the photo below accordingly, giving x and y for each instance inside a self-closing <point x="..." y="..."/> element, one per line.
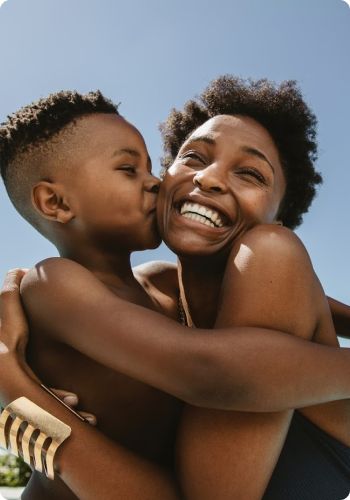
<point x="202" y="279"/>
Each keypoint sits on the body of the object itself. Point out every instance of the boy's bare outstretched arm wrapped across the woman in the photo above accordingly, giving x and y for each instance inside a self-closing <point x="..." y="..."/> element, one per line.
<point x="222" y="371"/>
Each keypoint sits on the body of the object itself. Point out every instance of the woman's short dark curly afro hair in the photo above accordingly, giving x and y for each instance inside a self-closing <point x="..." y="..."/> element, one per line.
<point x="280" y="109"/>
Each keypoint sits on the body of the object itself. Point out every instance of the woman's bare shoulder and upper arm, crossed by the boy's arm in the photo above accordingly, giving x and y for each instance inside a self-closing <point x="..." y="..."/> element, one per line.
<point x="270" y="283"/>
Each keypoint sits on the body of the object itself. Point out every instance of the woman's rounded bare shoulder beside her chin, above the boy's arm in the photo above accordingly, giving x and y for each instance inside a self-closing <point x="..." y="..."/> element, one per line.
<point x="269" y="281"/>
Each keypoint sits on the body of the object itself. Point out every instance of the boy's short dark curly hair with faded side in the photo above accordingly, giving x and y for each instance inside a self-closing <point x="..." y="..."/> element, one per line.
<point x="32" y="141"/>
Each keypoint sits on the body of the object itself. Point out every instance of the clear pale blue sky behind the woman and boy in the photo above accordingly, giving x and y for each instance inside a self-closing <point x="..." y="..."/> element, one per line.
<point x="155" y="54"/>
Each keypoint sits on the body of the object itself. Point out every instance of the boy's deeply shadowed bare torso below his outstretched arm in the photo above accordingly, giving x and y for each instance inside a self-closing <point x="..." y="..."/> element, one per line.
<point x="135" y="415"/>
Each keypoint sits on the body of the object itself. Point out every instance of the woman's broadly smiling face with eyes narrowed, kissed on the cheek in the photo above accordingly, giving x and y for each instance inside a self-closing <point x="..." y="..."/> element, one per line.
<point x="226" y="178"/>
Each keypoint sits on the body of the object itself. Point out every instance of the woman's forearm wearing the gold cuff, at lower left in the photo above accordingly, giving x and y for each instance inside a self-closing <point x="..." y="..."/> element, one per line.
<point x="91" y="465"/>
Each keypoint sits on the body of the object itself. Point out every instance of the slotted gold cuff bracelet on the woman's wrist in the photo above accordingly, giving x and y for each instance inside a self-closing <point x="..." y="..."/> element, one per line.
<point x="52" y="433"/>
